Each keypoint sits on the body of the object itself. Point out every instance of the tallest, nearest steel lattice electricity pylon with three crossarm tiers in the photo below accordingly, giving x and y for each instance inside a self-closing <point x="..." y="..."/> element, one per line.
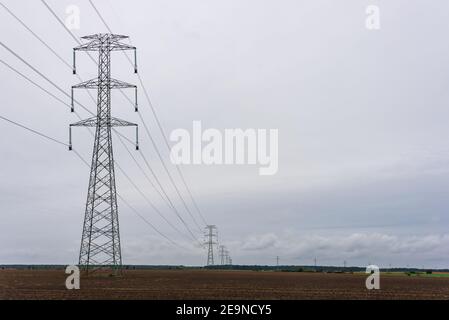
<point x="100" y="242"/>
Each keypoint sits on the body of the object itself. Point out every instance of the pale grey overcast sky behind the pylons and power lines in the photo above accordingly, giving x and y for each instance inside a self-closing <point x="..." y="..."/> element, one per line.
<point x="362" y="118"/>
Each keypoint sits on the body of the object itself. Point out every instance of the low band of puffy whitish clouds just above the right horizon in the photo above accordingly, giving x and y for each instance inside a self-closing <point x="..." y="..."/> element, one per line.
<point x="358" y="248"/>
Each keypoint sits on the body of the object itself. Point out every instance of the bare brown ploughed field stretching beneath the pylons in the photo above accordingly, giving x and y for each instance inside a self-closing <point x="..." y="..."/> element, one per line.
<point x="203" y="284"/>
